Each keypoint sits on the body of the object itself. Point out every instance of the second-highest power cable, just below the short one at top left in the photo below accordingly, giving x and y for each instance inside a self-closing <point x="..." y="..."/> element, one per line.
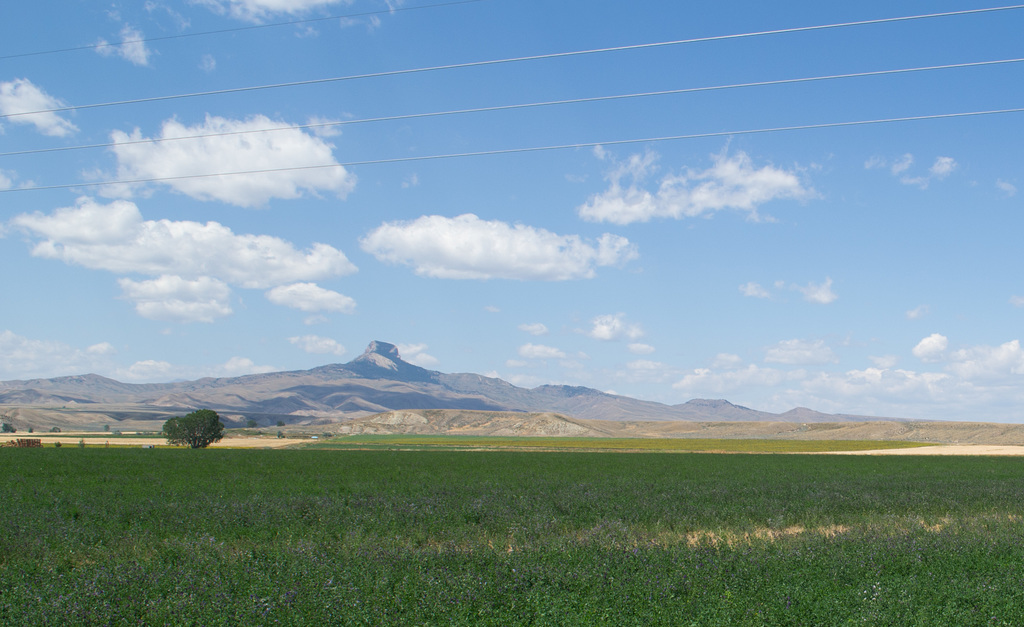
<point x="515" y="60"/>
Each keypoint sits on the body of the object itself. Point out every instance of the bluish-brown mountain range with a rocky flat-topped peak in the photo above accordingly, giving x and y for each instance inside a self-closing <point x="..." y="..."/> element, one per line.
<point x="377" y="382"/>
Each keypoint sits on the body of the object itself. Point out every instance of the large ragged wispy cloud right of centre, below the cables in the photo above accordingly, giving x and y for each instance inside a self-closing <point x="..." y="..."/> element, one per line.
<point x="733" y="183"/>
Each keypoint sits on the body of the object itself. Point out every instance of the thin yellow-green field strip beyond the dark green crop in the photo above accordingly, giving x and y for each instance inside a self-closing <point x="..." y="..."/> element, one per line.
<point x="694" y="445"/>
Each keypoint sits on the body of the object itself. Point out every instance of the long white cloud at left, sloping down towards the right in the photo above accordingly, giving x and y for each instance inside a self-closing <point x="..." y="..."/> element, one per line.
<point x="115" y="238"/>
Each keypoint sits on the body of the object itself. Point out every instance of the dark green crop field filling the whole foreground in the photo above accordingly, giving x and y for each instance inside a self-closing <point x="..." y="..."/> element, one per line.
<point x="296" y="537"/>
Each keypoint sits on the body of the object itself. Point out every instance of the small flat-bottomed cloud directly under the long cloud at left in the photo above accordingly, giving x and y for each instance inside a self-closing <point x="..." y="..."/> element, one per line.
<point x="176" y="300"/>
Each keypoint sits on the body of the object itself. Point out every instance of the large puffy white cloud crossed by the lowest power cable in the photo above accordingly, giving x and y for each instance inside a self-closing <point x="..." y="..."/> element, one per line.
<point x="233" y="146"/>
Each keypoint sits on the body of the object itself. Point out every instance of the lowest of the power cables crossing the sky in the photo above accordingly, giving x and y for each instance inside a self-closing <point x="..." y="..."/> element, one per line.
<point x="561" y="147"/>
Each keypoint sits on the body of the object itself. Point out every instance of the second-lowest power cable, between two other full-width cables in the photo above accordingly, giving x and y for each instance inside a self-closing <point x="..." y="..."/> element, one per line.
<point x="525" y="106"/>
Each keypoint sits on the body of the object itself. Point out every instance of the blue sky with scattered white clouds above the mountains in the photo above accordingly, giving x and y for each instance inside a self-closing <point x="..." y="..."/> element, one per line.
<point x="800" y="204"/>
